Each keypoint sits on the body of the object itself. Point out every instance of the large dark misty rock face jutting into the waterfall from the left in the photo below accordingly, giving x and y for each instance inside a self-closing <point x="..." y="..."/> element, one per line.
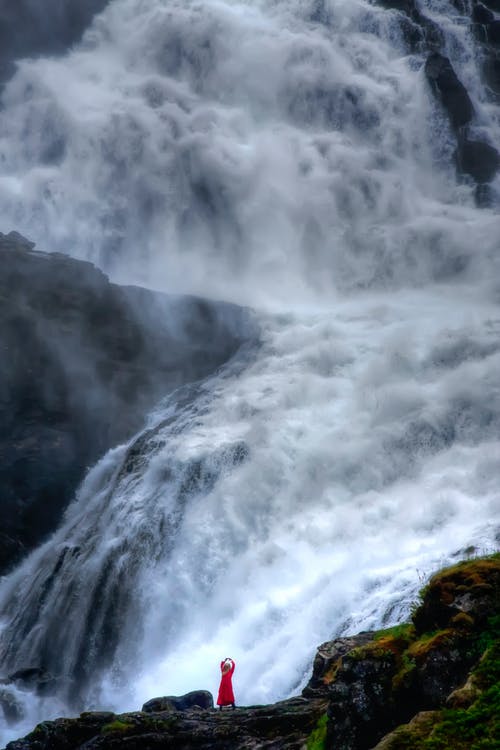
<point x="81" y="363"/>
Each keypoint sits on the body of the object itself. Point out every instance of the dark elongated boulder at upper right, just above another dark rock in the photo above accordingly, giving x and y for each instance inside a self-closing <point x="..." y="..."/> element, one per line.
<point x="449" y="90"/>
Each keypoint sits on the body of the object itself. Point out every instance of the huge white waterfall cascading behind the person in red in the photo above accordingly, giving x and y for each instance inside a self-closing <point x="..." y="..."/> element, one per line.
<point x="287" y="155"/>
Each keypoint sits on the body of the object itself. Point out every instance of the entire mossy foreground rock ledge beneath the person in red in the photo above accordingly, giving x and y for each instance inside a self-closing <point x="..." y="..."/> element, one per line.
<point x="430" y="684"/>
